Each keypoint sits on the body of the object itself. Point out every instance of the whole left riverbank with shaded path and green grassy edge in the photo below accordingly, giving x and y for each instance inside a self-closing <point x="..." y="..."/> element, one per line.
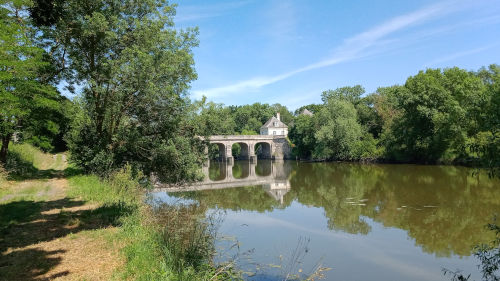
<point x="58" y="224"/>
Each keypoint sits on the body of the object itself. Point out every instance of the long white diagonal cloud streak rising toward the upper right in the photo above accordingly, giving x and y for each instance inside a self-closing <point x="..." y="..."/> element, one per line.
<point x="352" y="48"/>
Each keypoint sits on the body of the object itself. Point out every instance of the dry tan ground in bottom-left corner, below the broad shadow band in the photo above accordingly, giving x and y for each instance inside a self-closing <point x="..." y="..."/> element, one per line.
<point x="81" y="256"/>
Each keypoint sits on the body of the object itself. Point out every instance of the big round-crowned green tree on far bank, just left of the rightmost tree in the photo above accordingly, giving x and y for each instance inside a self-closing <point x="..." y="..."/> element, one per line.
<point x="439" y="111"/>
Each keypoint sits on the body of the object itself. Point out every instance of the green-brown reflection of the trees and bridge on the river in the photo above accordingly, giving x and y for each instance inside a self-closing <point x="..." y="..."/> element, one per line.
<point x="443" y="208"/>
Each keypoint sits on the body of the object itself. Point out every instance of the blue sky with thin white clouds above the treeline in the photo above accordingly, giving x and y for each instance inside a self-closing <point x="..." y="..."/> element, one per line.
<point x="290" y="51"/>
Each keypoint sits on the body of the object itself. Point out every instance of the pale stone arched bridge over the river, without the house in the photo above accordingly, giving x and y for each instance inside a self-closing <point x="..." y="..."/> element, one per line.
<point x="272" y="147"/>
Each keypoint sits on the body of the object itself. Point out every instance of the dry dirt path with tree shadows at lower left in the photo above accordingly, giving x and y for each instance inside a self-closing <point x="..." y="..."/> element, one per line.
<point x="44" y="235"/>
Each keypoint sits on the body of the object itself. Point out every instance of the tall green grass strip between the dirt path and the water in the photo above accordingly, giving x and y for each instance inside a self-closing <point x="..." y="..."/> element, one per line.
<point x="162" y="242"/>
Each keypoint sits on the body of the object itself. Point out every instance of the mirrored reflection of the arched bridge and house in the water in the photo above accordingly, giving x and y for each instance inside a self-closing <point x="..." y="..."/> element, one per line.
<point x="273" y="176"/>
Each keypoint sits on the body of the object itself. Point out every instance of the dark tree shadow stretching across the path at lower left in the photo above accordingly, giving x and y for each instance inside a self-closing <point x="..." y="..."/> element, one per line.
<point x="26" y="223"/>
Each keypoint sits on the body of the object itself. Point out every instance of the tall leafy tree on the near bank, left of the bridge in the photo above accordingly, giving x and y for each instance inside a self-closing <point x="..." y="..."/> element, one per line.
<point x="135" y="69"/>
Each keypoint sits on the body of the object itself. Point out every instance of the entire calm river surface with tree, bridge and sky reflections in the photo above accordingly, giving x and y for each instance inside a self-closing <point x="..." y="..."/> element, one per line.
<point x="365" y="222"/>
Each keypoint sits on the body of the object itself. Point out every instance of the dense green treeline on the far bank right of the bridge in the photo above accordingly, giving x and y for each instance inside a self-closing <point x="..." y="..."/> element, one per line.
<point x="437" y="116"/>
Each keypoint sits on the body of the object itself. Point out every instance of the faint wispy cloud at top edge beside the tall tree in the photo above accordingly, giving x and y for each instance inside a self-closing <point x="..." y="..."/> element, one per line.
<point x="199" y="12"/>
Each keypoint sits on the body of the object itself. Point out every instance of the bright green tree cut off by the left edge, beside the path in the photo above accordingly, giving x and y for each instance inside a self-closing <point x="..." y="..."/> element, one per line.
<point x="26" y="101"/>
